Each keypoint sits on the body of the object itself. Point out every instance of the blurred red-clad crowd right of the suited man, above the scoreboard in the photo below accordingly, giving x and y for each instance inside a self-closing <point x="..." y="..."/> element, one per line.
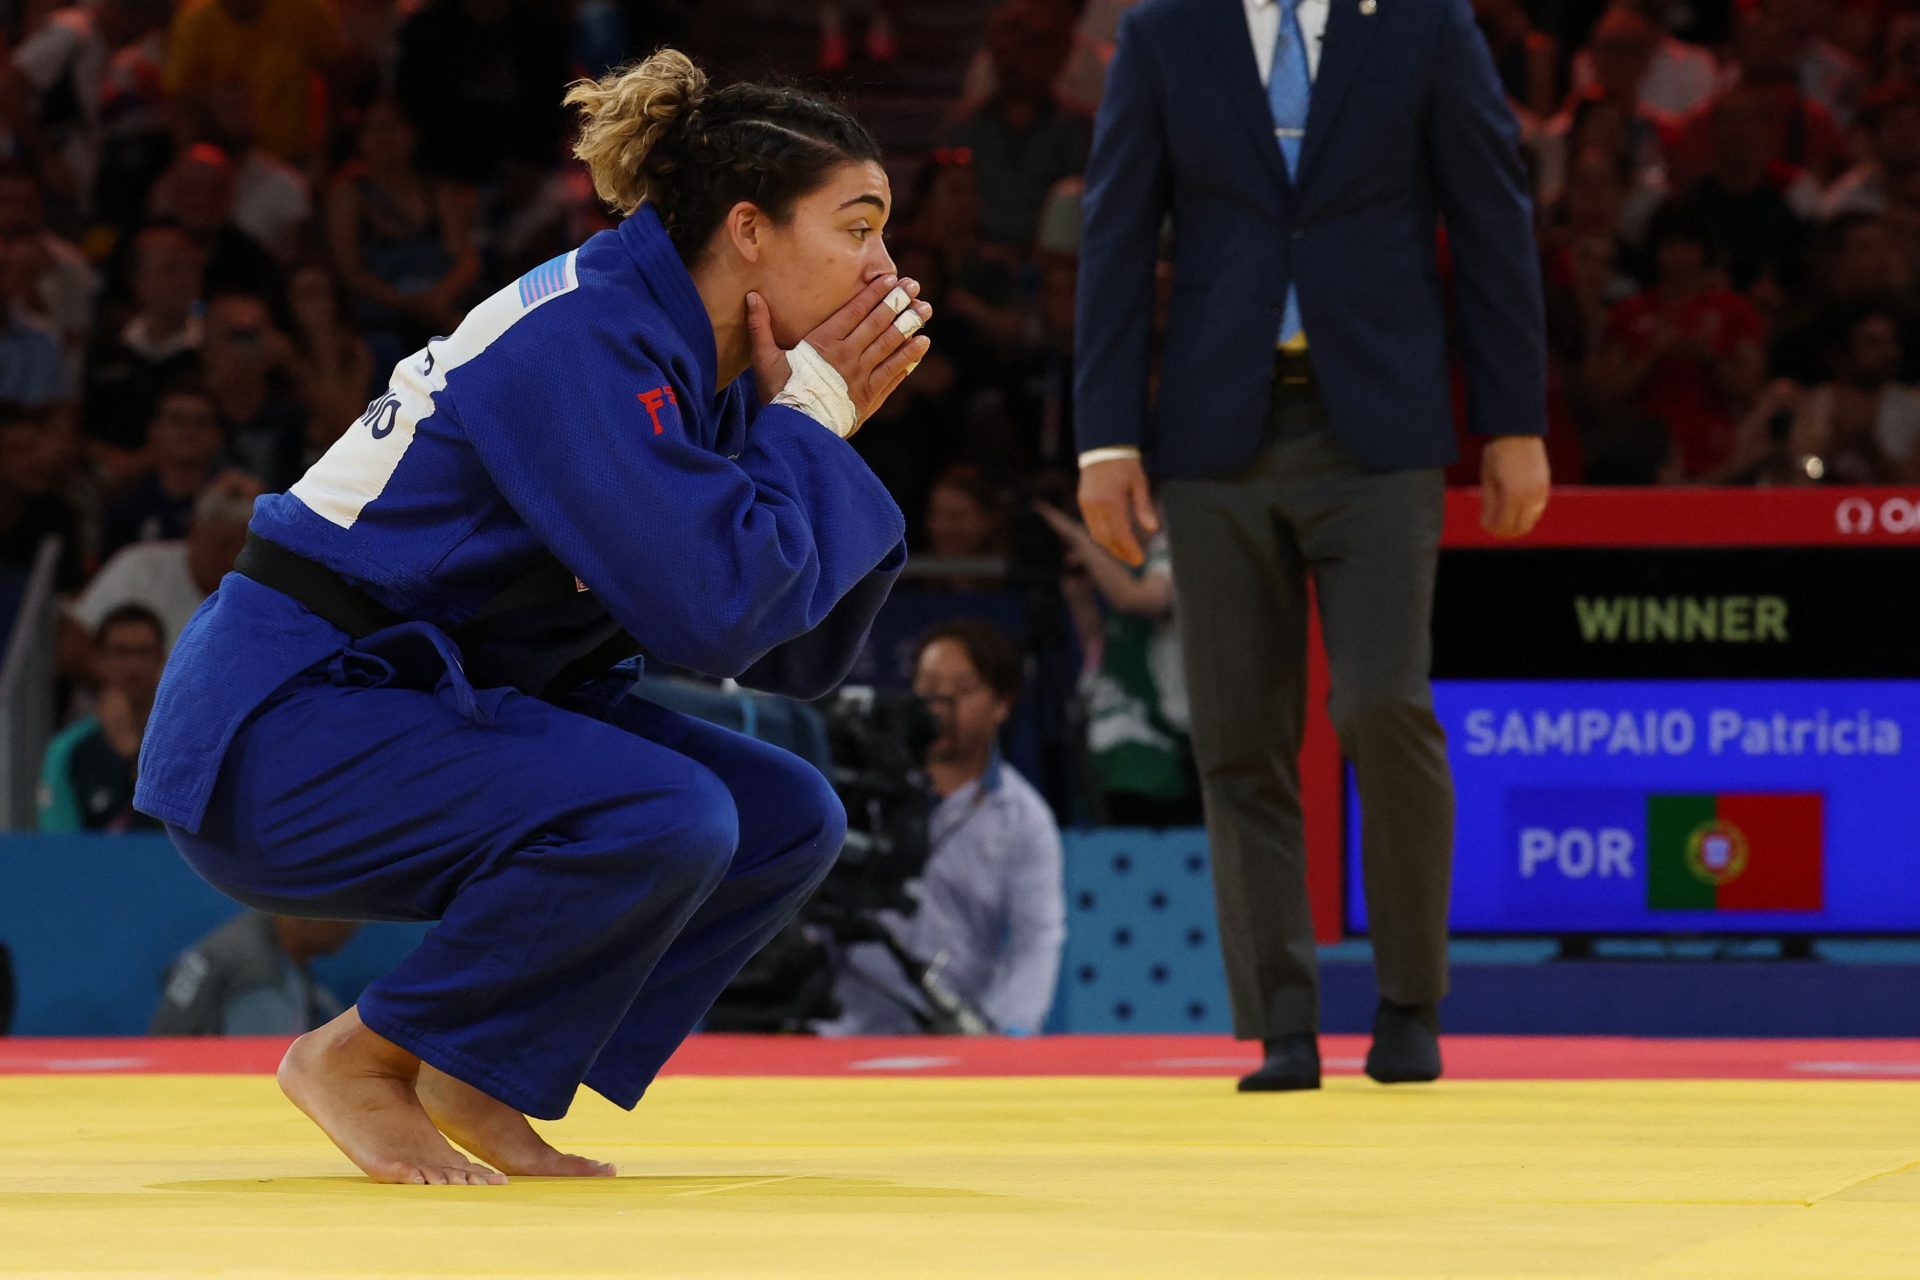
<point x="1727" y="237"/>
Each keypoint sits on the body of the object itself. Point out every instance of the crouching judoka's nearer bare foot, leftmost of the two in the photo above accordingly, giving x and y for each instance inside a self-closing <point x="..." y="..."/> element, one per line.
<point x="358" y="1087"/>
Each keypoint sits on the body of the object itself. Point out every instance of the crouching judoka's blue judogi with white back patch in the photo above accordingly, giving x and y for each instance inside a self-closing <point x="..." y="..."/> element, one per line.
<point x="600" y="866"/>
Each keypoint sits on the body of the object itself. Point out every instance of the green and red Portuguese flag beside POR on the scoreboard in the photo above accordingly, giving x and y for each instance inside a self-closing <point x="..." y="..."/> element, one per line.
<point x="1735" y="853"/>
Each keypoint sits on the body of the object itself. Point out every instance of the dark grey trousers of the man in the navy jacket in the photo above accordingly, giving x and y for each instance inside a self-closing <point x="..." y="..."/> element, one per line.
<point x="1243" y="552"/>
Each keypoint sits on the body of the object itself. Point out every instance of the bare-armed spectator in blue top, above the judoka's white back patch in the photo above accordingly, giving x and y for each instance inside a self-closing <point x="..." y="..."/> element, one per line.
<point x="400" y="241"/>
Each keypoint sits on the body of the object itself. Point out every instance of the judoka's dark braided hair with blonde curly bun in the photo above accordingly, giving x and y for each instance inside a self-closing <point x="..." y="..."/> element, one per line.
<point x="656" y="133"/>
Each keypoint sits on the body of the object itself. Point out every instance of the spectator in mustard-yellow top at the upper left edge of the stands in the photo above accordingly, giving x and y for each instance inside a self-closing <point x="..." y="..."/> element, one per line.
<point x="279" y="49"/>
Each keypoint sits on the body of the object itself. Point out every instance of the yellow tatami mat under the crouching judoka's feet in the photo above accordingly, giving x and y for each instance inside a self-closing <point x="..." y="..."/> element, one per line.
<point x="143" y="1177"/>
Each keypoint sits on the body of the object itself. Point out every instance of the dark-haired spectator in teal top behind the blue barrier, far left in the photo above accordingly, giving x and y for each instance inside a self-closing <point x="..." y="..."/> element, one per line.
<point x="87" y="776"/>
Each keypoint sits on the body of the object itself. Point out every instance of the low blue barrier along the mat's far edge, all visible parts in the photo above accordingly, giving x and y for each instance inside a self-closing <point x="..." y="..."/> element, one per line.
<point x="93" y="924"/>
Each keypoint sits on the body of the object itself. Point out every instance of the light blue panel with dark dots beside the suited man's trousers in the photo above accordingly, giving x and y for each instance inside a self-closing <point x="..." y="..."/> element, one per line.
<point x="1143" y="951"/>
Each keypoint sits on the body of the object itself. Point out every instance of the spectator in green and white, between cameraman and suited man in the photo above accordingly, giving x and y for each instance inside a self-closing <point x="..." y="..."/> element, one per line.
<point x="1134" y="684"/>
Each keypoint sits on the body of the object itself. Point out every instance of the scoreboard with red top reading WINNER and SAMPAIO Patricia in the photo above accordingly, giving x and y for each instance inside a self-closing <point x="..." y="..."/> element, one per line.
<point x="1658" y="730"/>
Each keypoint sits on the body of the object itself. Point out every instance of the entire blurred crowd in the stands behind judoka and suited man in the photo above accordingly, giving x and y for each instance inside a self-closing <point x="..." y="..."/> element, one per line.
<point x="222" y="222"/>
